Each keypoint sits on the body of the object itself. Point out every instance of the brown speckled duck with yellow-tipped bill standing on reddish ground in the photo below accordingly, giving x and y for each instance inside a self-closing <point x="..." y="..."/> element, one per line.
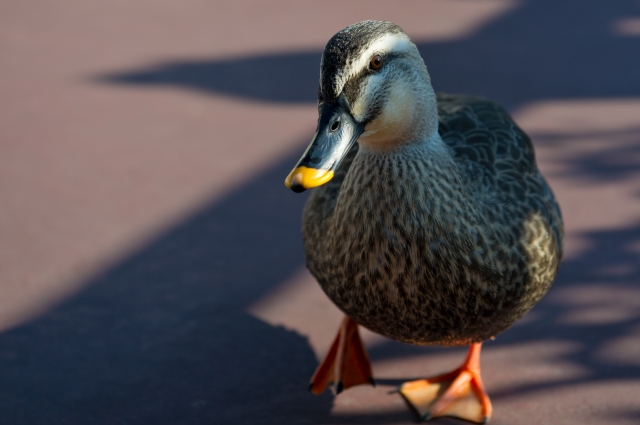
<point x="428" y="223"/>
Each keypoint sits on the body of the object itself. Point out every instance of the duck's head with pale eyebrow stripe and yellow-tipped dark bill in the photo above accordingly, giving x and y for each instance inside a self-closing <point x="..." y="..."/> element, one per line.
<point x="374" y="89"/>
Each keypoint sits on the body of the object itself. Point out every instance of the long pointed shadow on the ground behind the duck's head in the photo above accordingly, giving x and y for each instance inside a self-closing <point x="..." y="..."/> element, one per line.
<point x="543" y="50"/>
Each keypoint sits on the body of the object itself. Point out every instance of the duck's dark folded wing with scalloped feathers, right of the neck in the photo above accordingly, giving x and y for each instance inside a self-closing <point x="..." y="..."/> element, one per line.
<point x="497" y="158"/>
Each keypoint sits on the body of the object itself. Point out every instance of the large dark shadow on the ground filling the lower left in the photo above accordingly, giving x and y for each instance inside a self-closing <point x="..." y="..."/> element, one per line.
<point x="162" y="338"/>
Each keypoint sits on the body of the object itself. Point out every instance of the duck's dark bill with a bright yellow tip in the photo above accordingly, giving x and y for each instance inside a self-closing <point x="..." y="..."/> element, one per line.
<point x="337" y="131"/>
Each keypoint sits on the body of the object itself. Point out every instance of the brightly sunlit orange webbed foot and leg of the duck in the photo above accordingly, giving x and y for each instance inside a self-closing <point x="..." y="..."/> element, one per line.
<point x="459" y="393"/>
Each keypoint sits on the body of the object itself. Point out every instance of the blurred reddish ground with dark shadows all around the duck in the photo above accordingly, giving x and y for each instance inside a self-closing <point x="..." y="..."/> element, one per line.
<point x="151" y="266"/>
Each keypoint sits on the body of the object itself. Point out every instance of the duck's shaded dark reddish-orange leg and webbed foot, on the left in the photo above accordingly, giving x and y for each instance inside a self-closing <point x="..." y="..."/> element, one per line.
<point x="346" y="364"/>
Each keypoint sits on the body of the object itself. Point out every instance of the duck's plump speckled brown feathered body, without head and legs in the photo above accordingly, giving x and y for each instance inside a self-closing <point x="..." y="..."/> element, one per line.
<point x="446" y="245"/>
